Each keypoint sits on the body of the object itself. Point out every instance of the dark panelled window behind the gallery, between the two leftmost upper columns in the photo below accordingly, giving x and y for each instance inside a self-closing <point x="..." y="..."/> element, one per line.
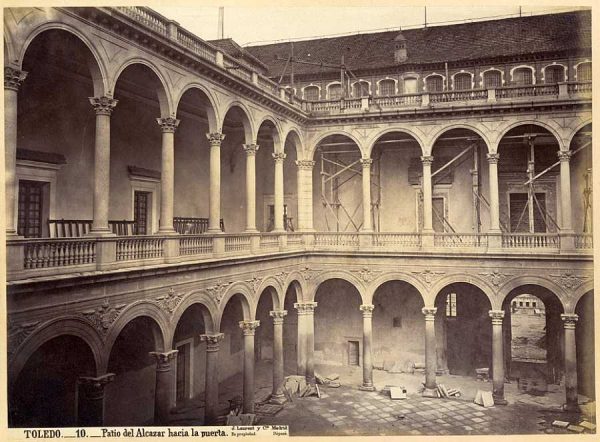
<point x="31" y="197"/>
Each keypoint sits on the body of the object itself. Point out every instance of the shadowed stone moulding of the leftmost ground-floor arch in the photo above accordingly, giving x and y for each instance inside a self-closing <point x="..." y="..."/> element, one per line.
<point x="71" y="326"/>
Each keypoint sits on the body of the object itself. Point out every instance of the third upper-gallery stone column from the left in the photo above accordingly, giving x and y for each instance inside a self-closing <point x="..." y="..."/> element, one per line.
<point x="167" y="176"/>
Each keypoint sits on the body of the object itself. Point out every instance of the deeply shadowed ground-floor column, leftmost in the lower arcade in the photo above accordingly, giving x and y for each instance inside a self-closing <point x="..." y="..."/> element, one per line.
<point x="90" y="407"/>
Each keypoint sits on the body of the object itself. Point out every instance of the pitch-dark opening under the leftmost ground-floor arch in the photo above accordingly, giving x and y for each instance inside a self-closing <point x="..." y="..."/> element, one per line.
<point x="45" y="393"/>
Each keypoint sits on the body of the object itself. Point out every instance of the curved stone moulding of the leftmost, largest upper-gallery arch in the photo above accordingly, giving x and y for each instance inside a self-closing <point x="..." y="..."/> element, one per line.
<point x="98" y="70"/>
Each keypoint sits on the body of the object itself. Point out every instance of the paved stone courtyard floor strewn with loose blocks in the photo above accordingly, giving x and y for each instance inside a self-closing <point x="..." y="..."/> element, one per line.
<point x="348" y="411"/>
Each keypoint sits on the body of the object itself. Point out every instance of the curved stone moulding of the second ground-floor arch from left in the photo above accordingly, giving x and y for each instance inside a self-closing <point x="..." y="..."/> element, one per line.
<point x="141" y="309"/>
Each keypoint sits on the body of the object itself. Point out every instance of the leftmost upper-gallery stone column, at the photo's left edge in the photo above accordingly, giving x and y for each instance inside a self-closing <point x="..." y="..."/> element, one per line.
<point x="12" y="81"/>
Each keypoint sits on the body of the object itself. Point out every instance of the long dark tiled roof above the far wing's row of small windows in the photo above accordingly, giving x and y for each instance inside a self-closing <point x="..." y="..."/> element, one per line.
<point x="437" y="44"/>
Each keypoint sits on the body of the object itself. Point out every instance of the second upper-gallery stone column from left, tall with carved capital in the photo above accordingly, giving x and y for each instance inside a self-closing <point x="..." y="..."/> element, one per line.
<point x="103" y="106"/>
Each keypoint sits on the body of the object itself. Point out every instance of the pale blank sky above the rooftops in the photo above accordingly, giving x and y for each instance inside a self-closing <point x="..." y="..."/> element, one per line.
<point x="262" y="23"/>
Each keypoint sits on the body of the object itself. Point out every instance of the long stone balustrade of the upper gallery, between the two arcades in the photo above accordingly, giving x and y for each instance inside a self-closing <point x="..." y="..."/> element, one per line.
<point x="27" y="258"/>
